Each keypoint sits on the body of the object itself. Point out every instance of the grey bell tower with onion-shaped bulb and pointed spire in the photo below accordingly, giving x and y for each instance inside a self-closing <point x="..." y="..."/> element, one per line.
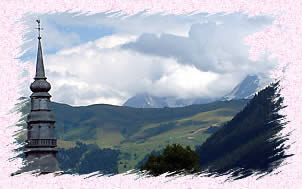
<point x="41" y="140"/>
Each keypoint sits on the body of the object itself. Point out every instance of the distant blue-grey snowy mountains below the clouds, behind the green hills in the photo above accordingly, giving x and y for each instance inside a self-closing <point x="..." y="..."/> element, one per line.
<point x="244" y="90"/>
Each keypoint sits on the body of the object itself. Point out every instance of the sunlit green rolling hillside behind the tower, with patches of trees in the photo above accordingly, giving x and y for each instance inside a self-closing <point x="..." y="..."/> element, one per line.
<point x="132" y="133"/>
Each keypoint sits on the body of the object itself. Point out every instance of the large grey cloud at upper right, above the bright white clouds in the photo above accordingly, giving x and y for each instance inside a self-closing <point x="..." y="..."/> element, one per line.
<point x="209" y="47"/>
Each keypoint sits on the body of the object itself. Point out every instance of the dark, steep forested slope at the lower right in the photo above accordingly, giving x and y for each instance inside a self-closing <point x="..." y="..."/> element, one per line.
<point x="244" y="144"/>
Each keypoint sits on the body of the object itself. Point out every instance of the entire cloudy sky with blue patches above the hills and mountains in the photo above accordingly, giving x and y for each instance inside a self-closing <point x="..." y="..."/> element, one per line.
<point x="107" y="59"/>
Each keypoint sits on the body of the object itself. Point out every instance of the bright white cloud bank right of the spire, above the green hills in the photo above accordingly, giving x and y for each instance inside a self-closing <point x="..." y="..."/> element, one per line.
<point x="112" y="75"/>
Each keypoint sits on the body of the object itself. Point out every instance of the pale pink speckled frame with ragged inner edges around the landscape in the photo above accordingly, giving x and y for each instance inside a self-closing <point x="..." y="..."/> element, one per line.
<point x="282" y="40"/>
